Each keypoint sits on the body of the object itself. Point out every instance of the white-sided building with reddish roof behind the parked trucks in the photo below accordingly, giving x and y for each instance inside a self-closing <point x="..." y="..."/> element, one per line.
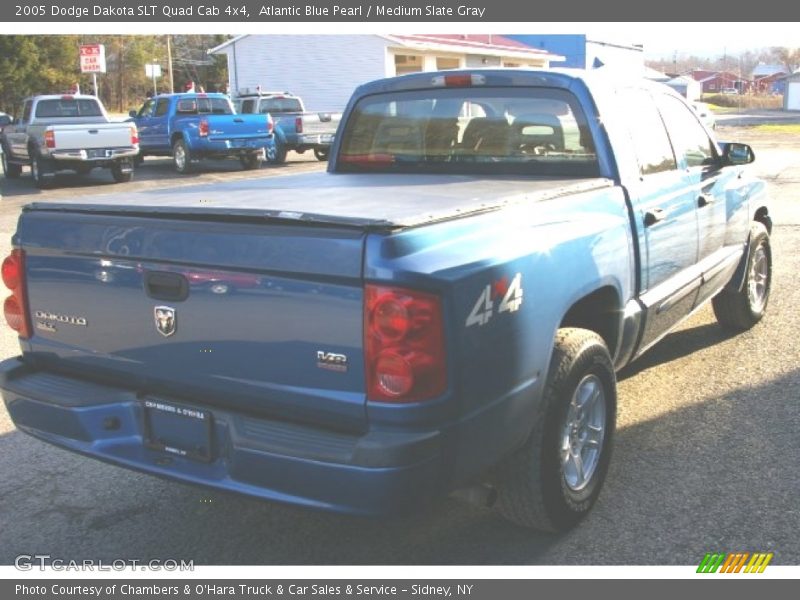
<point x="325" y="69"/>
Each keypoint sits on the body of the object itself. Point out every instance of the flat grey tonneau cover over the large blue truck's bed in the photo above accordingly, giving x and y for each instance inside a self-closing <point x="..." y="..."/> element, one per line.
<point x="358" y="200"/>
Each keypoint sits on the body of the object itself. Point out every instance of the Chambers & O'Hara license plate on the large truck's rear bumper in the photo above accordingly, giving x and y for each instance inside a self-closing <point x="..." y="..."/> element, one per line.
<point x="178" y="429"/>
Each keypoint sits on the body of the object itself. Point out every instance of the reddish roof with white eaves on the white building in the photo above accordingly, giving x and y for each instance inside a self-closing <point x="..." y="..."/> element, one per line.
<point x="488" y="45"/>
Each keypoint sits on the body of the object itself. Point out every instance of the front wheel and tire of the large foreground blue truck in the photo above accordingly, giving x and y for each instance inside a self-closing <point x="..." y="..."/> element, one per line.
<point x="739" y="310"/>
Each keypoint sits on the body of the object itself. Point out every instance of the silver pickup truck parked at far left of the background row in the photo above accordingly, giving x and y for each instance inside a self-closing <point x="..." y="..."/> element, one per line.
<point x="67" y="132"/>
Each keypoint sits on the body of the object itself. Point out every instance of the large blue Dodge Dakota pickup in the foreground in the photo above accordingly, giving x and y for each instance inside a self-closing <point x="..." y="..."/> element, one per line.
<point x="443" y="311"/>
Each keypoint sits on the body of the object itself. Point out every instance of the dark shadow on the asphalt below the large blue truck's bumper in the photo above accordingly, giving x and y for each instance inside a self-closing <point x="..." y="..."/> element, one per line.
<point x="662" y="503"/>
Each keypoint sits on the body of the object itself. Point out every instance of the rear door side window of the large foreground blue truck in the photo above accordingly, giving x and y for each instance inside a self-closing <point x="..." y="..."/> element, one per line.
<point x="650" y="139"/>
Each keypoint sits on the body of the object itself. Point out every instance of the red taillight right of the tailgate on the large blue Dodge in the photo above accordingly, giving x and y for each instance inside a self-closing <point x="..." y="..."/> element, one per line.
<point x="403" y="344"/>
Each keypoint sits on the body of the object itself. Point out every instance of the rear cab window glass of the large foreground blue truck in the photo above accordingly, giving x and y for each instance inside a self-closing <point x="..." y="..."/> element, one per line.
<point x="536" y="131"/>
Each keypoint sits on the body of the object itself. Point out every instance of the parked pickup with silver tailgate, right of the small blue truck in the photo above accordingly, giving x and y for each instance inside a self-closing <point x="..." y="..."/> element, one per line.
<point x="295" y="128"/>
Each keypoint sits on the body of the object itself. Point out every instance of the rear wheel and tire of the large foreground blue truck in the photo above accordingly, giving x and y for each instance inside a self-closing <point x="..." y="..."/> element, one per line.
<point x="540" y="485"/>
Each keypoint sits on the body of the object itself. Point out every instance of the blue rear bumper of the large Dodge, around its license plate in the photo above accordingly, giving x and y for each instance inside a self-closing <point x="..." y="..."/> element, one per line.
<point x="372" y="473"/>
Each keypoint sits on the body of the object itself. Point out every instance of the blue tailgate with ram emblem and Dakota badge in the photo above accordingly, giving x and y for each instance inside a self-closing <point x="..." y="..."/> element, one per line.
<point x="229" y="313"/>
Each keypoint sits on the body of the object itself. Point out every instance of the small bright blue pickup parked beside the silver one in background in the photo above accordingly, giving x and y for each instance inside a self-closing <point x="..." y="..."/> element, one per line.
<point x="192" y="126"/>
